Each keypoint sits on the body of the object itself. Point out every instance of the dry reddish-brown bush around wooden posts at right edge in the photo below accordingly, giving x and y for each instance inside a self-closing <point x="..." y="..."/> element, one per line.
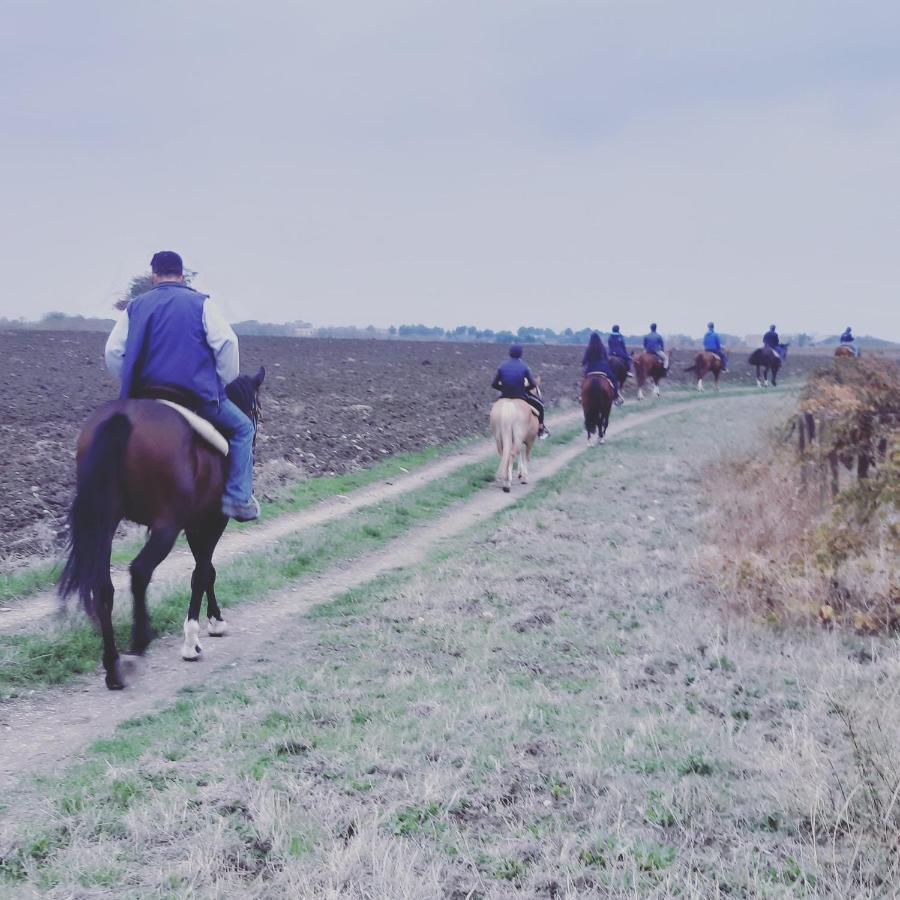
<point x="793" y="538"/>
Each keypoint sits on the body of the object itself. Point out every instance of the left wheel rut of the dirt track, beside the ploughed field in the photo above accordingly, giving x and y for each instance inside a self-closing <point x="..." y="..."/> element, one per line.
<point x="177" y="567"/>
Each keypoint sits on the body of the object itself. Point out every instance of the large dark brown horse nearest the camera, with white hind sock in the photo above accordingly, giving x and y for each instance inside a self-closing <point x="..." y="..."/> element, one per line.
<point x="139" y="459"/>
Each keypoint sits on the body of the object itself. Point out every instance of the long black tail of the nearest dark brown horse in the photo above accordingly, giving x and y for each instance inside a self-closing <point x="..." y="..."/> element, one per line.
<point x="95" y="512"/>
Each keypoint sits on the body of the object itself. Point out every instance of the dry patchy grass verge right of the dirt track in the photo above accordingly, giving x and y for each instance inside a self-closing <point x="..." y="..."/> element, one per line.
<point x="550" y="704"/>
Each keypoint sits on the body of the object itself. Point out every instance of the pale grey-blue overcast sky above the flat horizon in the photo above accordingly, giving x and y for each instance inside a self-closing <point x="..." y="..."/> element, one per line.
<point x="494" y="163"/>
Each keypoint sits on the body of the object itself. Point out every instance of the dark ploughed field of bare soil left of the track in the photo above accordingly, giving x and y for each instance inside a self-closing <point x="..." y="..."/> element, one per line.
<point x="330" y="406"/>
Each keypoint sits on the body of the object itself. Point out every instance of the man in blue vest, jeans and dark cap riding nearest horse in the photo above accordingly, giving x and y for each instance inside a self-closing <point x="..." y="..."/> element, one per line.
<point x="173" y="335"/>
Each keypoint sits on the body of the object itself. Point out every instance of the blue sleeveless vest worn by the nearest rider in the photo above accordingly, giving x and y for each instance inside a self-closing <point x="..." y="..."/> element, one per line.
<point x="167" y="343"/>
